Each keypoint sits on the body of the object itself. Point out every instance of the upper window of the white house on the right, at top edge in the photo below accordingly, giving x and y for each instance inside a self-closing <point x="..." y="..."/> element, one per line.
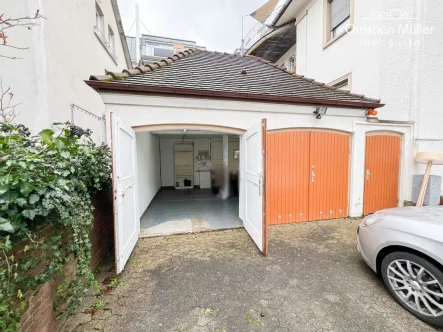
<point x="338" y="18"/>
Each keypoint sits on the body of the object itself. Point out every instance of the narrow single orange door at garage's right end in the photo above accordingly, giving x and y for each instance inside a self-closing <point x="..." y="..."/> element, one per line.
<point x="382" y="172"/>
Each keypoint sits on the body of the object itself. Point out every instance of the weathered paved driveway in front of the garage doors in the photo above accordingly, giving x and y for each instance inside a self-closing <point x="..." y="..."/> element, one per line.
<point x="312" y="280"/>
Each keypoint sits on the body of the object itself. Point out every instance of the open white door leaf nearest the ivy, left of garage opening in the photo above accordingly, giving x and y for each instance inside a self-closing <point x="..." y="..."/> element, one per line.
<point x="124" y="177"/>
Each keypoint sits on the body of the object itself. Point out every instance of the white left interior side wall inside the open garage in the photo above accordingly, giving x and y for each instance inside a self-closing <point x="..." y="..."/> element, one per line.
<point x="148" y="167"/>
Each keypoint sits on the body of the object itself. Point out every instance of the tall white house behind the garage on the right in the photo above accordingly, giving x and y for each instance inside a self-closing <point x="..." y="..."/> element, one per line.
<point x="390" y="50"/>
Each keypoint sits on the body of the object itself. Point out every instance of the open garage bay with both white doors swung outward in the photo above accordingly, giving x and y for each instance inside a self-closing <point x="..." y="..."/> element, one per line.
<point x="139" y="161"/>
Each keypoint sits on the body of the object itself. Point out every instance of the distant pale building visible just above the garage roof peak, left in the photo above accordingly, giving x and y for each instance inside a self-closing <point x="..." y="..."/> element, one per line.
<point x="155" y="48"/>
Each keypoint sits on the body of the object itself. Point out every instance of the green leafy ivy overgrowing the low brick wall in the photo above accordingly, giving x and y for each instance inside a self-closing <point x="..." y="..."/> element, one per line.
<point x="47" y="183"/>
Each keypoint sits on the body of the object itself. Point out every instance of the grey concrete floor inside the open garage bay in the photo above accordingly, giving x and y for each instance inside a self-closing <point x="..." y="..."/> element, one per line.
<point x="178" y="211"/>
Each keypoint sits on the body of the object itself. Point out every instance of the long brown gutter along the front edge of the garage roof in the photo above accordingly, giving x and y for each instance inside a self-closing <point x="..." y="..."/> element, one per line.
<point x="137" y="88"/>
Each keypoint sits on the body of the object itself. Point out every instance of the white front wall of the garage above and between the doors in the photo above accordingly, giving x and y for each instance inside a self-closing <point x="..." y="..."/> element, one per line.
<point x="140" y="110"/>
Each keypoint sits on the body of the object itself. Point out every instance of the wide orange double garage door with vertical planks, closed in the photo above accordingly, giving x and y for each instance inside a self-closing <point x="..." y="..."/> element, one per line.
<point x="307" y="176"/>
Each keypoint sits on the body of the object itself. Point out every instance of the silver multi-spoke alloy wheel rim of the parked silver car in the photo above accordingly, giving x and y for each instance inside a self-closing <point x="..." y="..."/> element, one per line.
<point x="416" y="287"/>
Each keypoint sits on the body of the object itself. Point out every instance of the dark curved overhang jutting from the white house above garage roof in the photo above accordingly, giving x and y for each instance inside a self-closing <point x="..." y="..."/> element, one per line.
<point x="275" y="44"/>
